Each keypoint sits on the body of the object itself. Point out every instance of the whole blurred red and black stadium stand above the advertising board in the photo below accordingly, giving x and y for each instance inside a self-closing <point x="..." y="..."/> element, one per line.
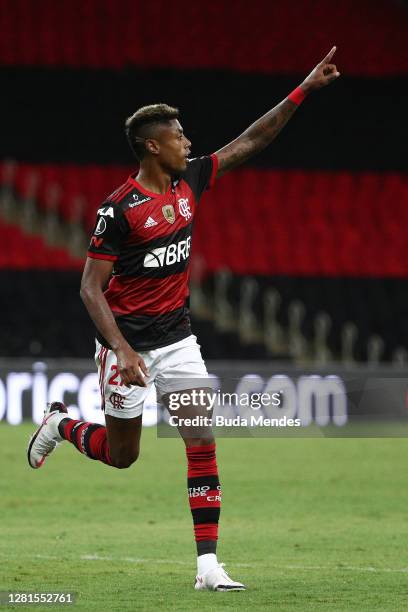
<point x="300" y="255"/>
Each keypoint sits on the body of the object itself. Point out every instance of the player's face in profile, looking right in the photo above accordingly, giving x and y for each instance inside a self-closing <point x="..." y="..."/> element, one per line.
<point x="174" y="147"/>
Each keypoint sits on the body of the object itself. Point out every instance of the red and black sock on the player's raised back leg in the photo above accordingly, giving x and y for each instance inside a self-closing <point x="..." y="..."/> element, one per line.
<point x="89" y="438"/>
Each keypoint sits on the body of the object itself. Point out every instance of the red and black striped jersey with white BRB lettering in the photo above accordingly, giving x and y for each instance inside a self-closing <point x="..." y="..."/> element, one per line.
<point x="148" y="237"/>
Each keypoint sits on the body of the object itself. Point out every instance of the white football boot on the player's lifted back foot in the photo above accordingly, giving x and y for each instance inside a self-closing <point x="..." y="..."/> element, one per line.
<point x="47" y="437"/>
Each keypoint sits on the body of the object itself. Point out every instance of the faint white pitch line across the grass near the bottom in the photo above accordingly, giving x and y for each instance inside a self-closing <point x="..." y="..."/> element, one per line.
<point x="137" y="560"/>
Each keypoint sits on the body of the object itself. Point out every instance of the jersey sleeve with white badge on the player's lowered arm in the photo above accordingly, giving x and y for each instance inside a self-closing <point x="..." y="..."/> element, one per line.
<point x="110" y="229"/>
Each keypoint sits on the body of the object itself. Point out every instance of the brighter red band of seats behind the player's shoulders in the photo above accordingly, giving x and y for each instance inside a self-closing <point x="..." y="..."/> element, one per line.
<point x="257" y="221"/>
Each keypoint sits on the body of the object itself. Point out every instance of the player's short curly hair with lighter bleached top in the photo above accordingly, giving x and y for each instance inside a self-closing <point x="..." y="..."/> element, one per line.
<point x="137" y="126"/>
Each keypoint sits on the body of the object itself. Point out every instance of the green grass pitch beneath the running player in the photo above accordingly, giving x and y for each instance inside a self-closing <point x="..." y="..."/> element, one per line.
<point x="307" y="524"/>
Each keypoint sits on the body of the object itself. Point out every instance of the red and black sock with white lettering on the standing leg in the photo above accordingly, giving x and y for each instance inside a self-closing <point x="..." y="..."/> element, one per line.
<point x="204" y="493"/>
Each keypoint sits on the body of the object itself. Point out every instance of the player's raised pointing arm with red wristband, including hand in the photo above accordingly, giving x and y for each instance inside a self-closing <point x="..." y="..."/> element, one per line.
<point x="261" y="133"/>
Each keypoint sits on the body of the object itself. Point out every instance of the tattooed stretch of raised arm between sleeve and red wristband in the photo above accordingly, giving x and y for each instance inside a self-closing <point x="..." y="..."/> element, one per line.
<point x="258" y="136"/>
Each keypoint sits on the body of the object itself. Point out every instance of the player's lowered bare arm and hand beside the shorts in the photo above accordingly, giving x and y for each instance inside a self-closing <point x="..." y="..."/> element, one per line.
<point x="95" y="276"/>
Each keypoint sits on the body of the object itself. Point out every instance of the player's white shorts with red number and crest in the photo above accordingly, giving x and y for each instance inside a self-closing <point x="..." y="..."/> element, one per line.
<point x="174" y="367"/>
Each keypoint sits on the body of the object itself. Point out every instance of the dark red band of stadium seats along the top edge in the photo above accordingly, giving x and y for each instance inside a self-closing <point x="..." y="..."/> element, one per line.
<point x="108" y="34"/>
